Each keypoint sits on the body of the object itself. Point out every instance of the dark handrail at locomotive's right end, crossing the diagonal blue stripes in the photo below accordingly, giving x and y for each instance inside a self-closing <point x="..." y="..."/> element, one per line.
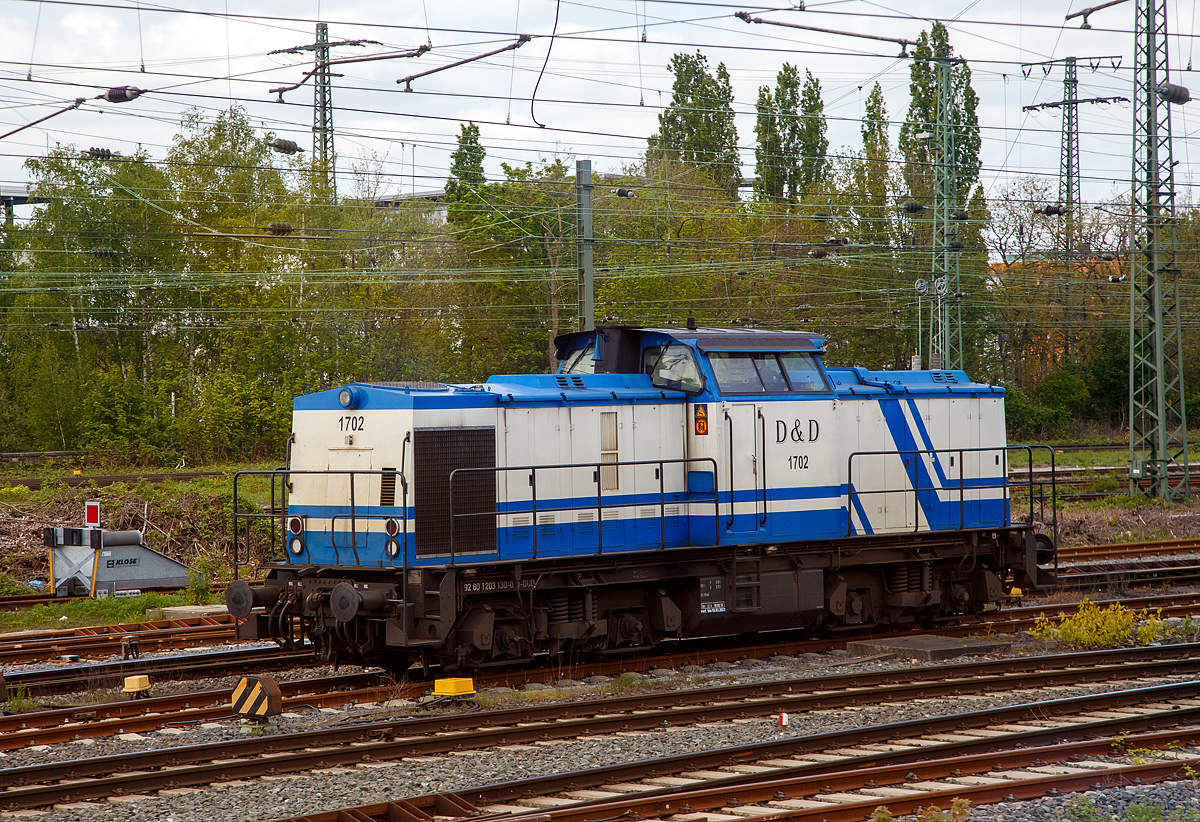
<point x="1001" y="483"/>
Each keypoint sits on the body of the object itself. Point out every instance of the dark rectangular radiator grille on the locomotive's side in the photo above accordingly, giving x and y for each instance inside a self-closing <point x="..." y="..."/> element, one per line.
<point x="436" y="454"/>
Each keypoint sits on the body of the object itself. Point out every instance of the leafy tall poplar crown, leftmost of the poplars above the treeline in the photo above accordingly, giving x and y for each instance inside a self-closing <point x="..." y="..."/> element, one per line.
<point x="698" y="125"/>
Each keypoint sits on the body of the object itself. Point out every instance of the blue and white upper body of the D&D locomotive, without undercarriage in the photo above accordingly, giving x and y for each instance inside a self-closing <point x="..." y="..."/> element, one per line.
<point x="591" y="464"/>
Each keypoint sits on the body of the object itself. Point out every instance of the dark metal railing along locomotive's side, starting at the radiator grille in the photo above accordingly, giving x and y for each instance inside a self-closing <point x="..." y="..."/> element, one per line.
<point x="601" y="506"/>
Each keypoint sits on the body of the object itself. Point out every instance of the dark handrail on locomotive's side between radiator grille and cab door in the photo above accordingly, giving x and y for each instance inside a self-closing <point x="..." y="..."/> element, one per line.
<point x="601" y="506"/>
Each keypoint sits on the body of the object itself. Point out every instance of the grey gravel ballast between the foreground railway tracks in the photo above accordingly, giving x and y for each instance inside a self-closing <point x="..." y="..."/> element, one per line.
<point x="284" y="796"/>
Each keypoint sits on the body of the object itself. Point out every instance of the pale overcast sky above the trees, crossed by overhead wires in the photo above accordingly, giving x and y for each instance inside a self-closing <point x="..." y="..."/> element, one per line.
<point x="603" y="87"/>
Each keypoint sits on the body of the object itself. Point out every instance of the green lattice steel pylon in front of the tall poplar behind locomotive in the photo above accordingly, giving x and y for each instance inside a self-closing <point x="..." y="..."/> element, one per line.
<point x="949" y="334"/>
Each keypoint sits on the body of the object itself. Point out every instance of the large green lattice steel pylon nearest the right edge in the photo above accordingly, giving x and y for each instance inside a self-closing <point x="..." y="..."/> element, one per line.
<point x="1159" y="433"/>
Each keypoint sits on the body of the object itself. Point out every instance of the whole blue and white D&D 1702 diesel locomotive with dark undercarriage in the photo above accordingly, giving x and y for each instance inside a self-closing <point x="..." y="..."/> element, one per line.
<point x="664" y="484"/>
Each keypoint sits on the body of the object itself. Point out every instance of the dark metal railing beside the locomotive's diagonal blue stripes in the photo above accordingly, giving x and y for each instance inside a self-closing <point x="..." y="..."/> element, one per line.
<point x="958" y="485"/>
